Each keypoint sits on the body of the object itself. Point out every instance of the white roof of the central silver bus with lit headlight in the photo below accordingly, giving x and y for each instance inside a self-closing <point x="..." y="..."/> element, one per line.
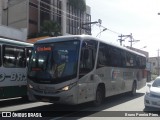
<point x="83" y="37"/>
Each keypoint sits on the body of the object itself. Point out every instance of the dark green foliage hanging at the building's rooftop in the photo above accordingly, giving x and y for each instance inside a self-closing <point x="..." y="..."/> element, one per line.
<point x="78" y="4"/>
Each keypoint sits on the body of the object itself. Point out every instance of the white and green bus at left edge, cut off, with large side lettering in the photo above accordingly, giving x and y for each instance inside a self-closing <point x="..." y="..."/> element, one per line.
<point x="13" y="68"/>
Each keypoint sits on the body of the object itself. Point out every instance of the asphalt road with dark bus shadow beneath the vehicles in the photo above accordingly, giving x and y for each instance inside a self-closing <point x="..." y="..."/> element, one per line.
<point x="121" y="107"/>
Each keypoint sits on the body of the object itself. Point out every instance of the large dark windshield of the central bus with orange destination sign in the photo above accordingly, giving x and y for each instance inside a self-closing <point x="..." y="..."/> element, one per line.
<point x="54" y="62"/>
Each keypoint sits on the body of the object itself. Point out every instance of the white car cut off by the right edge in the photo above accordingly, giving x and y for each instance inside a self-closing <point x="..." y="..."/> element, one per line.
<point x="152" y="96"/>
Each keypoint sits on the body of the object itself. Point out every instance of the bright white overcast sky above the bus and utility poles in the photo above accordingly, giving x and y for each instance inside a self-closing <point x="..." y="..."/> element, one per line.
<point x="139" y="17"/>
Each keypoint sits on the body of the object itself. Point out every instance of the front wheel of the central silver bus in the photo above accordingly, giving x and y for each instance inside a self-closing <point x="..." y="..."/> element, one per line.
<point x="99" y="97"/>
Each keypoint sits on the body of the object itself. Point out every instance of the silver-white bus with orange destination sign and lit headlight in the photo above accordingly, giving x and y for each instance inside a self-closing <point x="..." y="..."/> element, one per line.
<point x="81" y="68"/>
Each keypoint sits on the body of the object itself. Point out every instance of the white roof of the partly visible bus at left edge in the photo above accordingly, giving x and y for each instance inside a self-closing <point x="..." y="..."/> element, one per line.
<point x="14" y="42"/>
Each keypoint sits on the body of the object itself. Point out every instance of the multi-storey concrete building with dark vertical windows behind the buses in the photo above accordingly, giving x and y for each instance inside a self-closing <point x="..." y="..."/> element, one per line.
<point x="31" y="14"/>
